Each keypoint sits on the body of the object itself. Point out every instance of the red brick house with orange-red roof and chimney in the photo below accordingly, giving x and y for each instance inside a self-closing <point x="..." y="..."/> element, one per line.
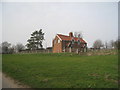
<point x="63" y="43"/>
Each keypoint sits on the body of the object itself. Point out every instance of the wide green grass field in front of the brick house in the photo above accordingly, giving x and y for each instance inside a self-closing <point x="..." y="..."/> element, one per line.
<point x="63" y="70"/>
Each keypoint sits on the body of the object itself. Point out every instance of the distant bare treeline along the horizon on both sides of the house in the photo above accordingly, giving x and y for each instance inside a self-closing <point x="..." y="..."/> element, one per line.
<point x="8" y="48"/>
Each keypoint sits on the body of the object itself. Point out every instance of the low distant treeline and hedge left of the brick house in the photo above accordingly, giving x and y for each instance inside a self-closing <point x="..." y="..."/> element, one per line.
<point x="8" y="48"/>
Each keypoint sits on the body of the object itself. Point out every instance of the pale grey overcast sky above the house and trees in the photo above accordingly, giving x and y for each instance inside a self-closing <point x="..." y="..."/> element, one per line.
<point x="96" y="20"/>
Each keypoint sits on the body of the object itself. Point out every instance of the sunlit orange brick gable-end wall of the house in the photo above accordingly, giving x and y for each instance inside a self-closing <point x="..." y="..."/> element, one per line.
<point x="57" y="47"/>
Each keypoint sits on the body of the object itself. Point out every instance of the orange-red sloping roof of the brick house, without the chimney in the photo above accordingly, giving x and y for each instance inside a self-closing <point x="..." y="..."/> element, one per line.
<point x="68" y="38"/>
